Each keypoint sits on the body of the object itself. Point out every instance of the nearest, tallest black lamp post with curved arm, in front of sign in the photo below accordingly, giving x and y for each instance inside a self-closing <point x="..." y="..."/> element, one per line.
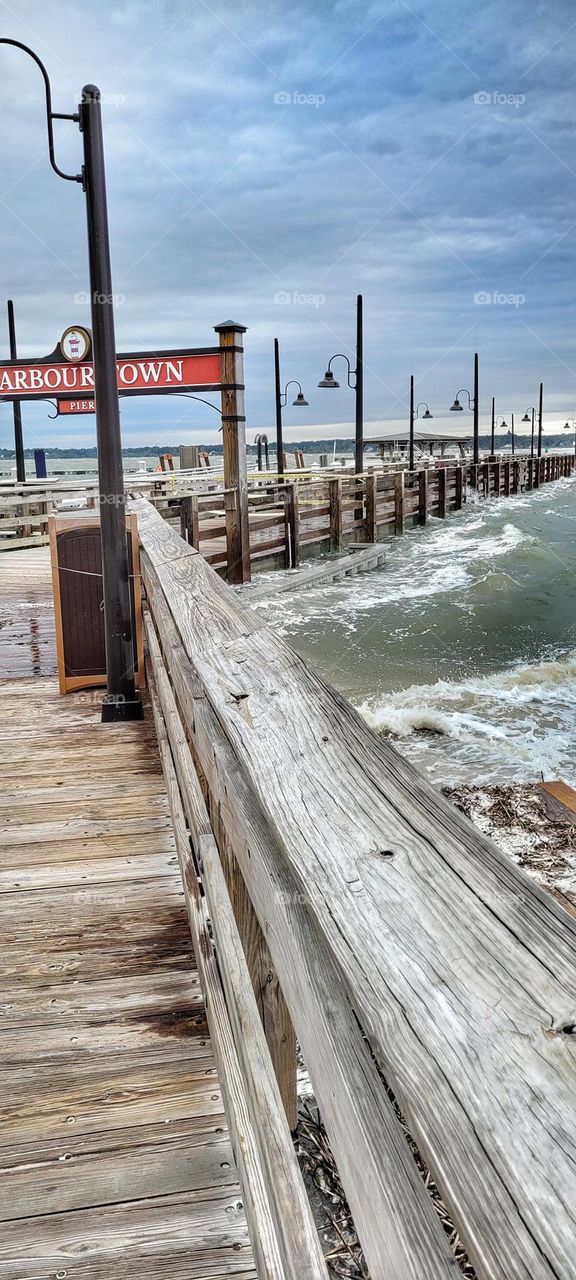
<point x="122" y="701"/>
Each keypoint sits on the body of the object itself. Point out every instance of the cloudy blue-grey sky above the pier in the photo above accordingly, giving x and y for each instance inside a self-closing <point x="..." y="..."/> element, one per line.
<point x="271" y="161"/>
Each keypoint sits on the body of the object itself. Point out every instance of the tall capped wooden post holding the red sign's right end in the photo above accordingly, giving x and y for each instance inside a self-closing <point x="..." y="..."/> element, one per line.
<point x="234" y="438"/>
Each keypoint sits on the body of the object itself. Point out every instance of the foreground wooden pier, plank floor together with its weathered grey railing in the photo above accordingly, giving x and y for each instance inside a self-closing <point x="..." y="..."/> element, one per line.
<point x="170" y="936"/>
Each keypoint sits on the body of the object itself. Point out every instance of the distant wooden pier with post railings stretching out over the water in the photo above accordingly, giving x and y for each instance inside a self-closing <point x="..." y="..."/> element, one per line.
<point x="303" y="516"/>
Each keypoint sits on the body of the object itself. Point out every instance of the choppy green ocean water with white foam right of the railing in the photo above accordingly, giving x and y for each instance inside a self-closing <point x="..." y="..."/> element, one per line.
<point x="463" y="648"/>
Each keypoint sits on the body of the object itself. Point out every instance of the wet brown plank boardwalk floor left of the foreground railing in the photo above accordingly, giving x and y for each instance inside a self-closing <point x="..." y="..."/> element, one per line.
<point x="116" y="1159"/>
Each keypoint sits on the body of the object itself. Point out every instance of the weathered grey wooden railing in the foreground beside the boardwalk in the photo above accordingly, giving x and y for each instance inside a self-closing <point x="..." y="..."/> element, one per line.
<point x="403" y="940"/>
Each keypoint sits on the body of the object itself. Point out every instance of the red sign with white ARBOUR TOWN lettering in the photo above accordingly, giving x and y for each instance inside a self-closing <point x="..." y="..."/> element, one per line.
<point x="166" y="372"/>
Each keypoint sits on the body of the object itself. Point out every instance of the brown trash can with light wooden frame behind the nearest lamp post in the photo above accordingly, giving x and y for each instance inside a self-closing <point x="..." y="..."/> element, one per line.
<point x="77" y="580"/>
